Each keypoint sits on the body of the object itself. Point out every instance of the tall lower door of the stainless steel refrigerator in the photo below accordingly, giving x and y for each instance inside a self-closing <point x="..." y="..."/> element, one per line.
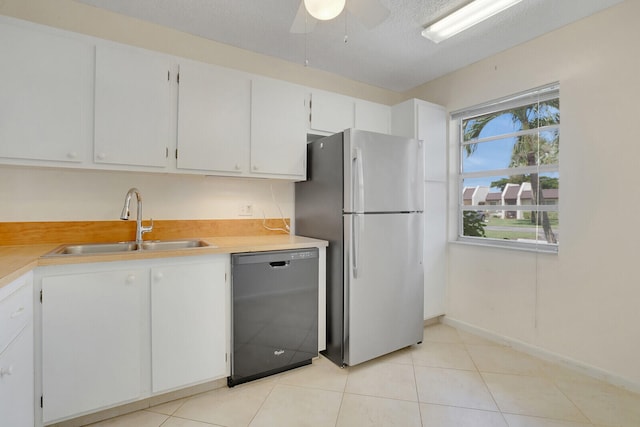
<point x="384" y="284"/>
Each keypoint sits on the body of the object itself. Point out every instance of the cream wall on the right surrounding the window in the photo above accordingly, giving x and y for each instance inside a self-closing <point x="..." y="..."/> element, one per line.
<point x="583" y="304"/>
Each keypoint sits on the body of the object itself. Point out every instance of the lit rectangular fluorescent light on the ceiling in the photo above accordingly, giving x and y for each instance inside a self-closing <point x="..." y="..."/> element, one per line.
<point x="466" y="17"/>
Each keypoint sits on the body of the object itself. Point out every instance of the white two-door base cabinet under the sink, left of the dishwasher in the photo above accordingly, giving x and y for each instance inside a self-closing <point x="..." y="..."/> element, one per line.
<point x="118" y="332"/>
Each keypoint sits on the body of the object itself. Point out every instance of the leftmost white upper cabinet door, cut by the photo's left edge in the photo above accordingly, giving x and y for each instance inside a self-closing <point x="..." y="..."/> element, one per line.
<point x="45" y="91"/>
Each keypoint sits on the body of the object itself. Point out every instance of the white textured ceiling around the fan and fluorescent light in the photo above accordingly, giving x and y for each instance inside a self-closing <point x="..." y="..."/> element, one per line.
<point x="392" y="55"/>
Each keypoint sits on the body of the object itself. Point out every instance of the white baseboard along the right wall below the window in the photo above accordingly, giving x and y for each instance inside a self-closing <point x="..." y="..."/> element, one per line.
<point x="544" y="354"/>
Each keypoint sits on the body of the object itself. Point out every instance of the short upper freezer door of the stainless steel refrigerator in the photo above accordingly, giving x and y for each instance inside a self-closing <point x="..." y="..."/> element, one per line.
<point x="382" y="173"/>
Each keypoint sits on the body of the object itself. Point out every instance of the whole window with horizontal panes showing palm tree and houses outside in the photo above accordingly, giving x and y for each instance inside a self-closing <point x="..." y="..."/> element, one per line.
<point x="509" y="171"/>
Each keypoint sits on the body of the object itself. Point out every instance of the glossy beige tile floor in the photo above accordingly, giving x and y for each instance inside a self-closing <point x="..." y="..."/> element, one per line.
<point x="452" y="379"/>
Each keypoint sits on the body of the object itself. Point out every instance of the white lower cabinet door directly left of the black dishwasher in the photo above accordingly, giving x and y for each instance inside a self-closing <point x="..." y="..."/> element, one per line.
<point x="188" y="323"/>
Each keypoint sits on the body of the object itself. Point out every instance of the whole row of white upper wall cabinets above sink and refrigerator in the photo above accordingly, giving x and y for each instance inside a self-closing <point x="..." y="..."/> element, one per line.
<point x="71" y="100"/>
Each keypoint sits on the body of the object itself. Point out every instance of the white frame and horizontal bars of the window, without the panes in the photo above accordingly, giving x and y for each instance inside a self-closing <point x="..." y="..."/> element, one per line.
<point x="536" y="95"/>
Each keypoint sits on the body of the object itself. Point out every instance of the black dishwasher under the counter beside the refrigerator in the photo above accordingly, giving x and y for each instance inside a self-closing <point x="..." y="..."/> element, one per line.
<point x="274" y="312"/>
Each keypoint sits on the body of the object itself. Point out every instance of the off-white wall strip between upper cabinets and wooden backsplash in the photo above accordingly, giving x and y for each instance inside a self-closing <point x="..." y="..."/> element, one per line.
<point x="42" y="194"/>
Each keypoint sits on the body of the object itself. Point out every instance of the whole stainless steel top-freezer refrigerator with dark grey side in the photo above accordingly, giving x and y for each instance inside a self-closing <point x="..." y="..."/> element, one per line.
<point x="364" y="194"/>
